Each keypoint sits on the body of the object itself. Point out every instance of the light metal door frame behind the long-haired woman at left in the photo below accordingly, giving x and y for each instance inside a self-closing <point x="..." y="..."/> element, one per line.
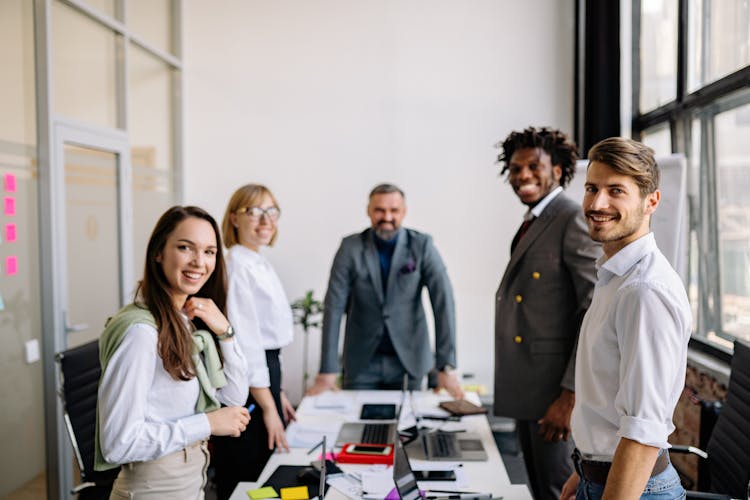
<point x="55" y="276"/>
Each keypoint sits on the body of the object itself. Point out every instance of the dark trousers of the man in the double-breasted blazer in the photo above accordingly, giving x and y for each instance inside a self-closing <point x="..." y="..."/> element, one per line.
<point x="548" y="464"/>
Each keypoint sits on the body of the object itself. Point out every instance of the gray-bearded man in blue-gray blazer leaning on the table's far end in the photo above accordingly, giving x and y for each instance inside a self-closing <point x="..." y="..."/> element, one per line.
<point x="377" y="279"/>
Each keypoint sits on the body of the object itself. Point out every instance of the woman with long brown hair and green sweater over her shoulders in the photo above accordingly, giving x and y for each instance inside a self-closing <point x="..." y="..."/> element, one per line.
<point x="163" y="378"/>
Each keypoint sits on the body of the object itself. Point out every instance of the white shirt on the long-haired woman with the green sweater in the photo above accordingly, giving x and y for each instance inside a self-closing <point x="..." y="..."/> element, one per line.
<point x="144" y="413"/>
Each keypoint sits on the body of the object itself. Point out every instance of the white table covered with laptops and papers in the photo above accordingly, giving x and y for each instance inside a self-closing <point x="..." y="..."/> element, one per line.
<point x="324" y="414"/>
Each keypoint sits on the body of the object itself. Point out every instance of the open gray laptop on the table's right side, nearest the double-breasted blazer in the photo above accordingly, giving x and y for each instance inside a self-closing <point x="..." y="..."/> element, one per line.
<point x="449" y="446"/>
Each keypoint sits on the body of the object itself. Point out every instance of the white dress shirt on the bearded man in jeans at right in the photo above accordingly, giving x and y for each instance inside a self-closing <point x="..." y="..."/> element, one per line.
<point x="632" y="352"/>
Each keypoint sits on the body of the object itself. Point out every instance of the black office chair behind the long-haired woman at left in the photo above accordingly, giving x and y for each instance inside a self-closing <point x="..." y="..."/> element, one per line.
<point x="79" y="387"/>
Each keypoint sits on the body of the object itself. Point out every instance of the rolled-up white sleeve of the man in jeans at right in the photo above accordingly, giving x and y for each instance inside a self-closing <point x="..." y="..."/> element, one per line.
<point x="650" y="337"/>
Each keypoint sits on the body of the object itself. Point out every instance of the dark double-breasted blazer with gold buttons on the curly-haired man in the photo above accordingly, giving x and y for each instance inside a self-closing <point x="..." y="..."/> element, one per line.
<point x="539" y="306"/>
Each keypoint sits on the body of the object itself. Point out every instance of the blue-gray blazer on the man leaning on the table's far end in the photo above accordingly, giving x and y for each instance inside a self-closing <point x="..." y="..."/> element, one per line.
<point x="355" y="288"/>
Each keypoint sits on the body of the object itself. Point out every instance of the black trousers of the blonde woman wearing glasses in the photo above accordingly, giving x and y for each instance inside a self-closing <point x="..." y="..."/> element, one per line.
<point x="243" y="458"/>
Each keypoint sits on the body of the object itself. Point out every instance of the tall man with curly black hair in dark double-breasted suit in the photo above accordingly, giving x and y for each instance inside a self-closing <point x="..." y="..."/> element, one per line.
<point x="540" y="304"/>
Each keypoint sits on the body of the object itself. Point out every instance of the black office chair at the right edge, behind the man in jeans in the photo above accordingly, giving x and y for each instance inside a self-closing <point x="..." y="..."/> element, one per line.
<point x="728" y="449"/>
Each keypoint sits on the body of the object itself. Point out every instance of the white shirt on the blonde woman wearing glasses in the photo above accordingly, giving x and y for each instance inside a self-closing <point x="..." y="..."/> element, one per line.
<point x="258" y="310"/>
